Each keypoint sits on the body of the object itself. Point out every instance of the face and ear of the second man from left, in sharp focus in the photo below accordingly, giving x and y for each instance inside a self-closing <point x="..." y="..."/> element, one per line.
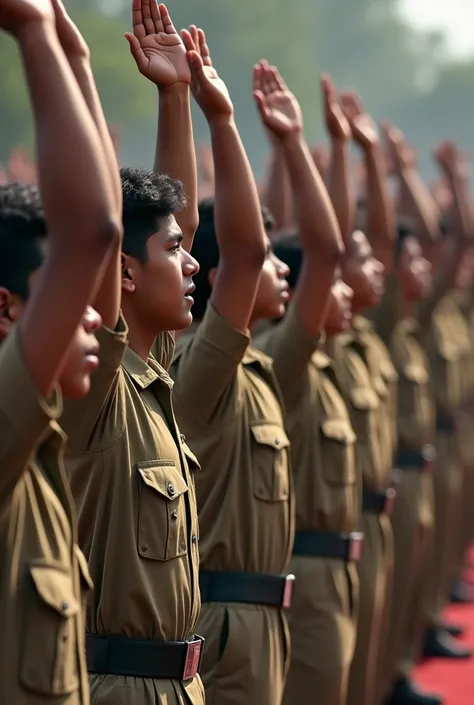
<point x="158" y="292"/>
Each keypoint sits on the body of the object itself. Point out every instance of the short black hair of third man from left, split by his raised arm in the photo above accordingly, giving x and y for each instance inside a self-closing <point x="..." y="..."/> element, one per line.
<point x="206" y="251"/>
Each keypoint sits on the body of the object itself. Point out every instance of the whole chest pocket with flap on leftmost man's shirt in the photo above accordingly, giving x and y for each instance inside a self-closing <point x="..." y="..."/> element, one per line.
<point x="49" y="664"/>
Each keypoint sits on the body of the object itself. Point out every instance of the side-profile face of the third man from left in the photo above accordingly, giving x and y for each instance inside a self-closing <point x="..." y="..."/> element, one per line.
<point x="272" y="293"/>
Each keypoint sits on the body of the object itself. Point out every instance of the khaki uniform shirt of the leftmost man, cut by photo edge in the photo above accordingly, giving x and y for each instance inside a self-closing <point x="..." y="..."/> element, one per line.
<point x="44" y="576"/>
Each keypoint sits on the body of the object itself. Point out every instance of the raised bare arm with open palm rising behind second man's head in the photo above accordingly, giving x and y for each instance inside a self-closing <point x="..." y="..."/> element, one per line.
<point x="161" y="57"/>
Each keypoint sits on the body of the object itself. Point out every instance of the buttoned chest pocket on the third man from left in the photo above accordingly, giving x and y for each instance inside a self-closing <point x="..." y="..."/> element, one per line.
<point x="271" y="482"/>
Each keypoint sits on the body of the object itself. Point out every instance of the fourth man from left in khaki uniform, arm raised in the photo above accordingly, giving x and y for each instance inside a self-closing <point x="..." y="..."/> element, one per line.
<point x="328" y="495"/>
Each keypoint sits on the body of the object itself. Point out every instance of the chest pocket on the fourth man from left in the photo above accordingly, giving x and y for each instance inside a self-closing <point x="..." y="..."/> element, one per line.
<point x="338" y="452"/>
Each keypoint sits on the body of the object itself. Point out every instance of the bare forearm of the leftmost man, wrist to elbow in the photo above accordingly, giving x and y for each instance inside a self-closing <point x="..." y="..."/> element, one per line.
<point x="74" y="180"/>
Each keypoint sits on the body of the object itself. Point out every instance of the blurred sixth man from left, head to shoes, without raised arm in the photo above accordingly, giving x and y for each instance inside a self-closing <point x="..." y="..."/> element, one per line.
<point x="412" y="518"/>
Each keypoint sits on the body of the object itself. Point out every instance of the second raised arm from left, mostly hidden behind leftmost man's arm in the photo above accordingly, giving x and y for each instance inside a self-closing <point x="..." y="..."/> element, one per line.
<point x="108" y="297"/>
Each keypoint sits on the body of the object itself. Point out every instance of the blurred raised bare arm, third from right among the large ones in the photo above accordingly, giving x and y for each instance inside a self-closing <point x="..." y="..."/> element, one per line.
<point x="380" y="212"/>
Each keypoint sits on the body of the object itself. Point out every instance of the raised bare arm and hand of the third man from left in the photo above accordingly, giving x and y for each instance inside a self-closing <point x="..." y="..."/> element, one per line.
<point x="237" y="215"/>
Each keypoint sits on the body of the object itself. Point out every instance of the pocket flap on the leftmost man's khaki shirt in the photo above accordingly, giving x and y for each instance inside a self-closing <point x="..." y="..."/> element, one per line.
<point x="55" y="587"/>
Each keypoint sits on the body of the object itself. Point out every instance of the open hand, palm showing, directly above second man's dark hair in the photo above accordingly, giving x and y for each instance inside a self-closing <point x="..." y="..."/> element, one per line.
<point x="156" y="45"/>
